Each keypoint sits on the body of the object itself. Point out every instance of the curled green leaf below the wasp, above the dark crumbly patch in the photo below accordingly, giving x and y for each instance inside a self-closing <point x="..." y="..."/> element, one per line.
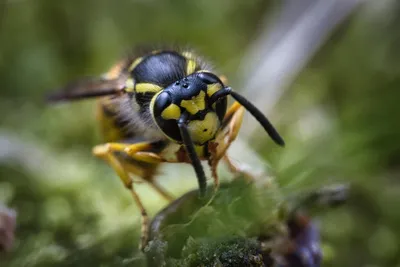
<point x="238" y="209"/>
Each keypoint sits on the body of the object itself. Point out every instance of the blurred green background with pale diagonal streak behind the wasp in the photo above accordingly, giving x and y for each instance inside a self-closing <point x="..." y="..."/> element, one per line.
<point x="333" y="92"/>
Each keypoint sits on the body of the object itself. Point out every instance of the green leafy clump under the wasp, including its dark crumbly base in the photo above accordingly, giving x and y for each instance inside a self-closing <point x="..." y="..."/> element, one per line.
<point x="194" y="232"/>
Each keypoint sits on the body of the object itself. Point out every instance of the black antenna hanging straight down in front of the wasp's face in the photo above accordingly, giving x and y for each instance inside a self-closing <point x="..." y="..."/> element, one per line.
<point x="187" y="140"/>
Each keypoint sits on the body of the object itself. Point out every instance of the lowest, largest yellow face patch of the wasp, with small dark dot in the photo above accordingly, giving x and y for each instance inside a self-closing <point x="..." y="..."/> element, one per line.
<point x="204" y="130"/>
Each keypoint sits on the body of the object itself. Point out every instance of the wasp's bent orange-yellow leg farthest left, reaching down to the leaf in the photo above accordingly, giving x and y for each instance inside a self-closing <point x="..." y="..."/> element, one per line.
<point x="108" y="153"/>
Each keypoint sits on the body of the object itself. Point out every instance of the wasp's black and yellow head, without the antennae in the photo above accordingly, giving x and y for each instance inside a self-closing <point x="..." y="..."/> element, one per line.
<point x="190" y="95"/>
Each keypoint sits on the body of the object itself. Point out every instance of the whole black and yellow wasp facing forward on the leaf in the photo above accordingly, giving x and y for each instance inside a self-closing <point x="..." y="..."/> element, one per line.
<point x="163" y="106"/>
